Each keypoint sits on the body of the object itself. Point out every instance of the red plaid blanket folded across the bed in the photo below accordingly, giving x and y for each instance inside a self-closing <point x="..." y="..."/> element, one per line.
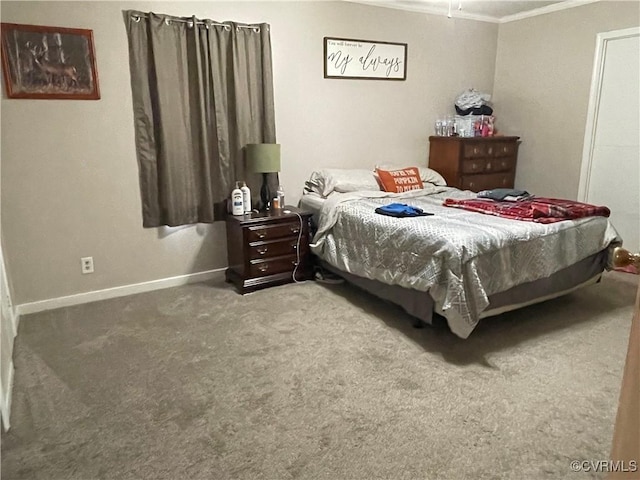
<point x="536" y="209"/>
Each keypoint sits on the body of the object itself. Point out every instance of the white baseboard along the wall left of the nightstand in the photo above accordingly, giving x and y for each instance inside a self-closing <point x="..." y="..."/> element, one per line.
<point x="107" y="293"/>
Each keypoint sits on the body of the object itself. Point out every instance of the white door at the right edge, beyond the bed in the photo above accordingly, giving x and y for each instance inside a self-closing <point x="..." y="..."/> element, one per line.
<point x="611" y="158"/>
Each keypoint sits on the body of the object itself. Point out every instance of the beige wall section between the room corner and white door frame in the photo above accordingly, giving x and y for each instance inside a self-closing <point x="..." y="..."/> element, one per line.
<point x="543" y="76"/>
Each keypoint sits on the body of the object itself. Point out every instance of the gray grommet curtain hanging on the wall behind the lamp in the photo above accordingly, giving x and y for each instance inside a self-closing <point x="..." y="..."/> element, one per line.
<point x="202" y="90"/>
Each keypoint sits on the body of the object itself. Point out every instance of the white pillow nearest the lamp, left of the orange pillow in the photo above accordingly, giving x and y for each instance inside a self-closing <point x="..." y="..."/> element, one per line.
<point x="342" y="180"/>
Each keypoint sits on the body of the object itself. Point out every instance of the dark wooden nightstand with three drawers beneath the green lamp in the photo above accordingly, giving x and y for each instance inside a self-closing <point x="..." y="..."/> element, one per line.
<point x="268" y="248"/>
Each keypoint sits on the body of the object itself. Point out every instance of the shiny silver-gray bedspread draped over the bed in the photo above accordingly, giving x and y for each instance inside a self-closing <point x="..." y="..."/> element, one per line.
<point x="459" y="257"/>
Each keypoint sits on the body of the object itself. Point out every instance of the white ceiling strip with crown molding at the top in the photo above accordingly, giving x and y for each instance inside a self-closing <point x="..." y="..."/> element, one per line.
<point x="486" y="10"/>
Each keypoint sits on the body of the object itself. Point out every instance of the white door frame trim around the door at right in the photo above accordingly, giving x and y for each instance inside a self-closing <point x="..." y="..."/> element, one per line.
<point x="602" y="42"/>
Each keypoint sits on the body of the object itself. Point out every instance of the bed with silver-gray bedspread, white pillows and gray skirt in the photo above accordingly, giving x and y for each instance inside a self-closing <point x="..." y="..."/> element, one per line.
<point x="460" y="264"/>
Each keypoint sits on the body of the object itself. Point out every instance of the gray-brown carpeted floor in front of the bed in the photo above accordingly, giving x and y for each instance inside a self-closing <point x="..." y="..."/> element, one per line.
<point x="313" y="381"/>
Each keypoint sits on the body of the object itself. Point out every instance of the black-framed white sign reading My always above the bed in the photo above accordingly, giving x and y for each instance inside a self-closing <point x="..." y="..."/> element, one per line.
<point x="364" y="59"/>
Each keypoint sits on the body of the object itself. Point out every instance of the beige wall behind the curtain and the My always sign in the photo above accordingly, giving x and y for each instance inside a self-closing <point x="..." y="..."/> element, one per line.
<point x="69" y="171"/>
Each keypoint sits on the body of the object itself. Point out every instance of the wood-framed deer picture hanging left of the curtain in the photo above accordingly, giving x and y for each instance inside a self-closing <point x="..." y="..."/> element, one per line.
<point x="48" y="62"/>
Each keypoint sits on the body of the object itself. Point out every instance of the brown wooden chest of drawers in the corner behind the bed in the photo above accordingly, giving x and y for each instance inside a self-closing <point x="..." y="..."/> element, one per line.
<point x="475" y="163"/>
